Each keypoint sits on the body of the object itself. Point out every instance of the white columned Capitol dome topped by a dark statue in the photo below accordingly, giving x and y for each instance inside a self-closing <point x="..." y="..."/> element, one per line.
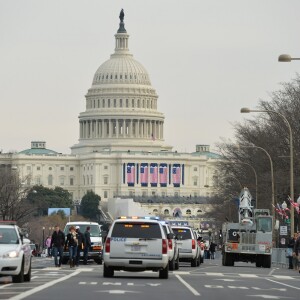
<point x="121" y="106"/>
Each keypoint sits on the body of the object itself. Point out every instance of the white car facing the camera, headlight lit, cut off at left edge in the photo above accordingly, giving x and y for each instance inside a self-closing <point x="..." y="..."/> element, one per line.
<point x="15" y="254"/>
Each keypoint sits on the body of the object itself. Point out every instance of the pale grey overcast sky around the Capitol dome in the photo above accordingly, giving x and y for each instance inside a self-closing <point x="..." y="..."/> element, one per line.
<point x="206" y="60"/>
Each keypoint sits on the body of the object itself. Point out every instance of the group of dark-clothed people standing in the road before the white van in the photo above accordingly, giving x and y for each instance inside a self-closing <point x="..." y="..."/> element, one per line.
<point x="75" y="242"/>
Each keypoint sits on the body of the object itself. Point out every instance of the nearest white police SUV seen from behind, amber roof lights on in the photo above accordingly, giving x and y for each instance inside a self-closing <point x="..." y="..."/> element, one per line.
<point x="134" y="244"/>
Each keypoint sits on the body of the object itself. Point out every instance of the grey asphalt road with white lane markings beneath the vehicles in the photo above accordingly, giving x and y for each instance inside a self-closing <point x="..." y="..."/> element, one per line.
<point x="209" y="281"/>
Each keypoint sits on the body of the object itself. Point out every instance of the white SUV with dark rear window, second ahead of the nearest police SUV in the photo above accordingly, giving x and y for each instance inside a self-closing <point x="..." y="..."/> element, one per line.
<point x="187" y="243"/>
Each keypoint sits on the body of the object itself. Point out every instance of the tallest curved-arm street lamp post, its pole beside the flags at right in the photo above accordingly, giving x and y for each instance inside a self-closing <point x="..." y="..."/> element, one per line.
<point x="248" y="110"/>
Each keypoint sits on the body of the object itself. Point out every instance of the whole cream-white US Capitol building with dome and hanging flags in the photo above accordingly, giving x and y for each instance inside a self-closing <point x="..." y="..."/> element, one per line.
<point x="121" y="150"/>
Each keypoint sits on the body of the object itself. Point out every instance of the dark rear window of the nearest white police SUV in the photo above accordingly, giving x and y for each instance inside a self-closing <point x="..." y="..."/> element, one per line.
<point x="137" y="230"/>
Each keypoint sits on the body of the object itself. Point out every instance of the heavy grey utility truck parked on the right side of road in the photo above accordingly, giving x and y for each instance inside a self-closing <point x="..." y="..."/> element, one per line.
<point x="249" y="240"/>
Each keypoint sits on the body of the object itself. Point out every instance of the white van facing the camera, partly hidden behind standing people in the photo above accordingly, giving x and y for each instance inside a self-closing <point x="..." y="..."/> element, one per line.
<point x="96" y="250"/>
